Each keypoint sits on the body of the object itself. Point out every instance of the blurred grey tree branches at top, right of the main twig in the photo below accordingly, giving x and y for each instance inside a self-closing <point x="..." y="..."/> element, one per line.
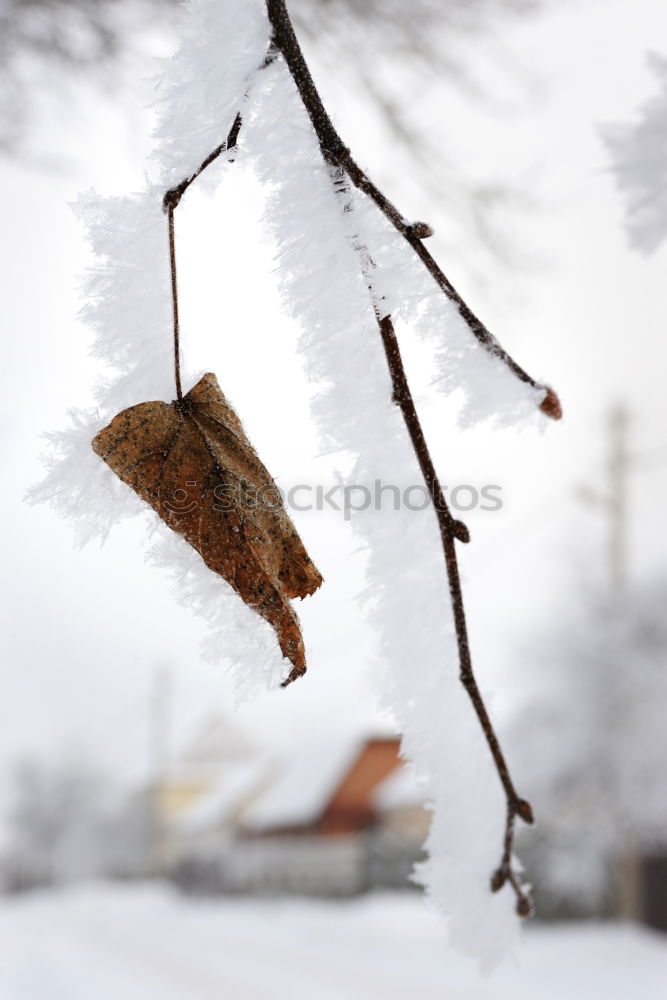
<point x="399" y="61"/>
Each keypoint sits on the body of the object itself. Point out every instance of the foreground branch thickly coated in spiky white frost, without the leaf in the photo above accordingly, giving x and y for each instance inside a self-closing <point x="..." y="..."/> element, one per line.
<point x="328" y="258"/>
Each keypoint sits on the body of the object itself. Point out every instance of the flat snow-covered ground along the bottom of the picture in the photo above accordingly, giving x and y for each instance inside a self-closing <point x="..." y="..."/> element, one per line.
<point x="115" y="943"/>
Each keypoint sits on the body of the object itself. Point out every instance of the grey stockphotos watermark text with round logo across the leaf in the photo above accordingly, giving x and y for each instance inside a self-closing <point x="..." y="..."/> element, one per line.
<point x="345" y="498"/>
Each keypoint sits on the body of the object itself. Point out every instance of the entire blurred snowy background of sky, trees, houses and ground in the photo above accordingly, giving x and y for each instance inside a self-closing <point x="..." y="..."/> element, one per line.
<point x="157" y="837"/>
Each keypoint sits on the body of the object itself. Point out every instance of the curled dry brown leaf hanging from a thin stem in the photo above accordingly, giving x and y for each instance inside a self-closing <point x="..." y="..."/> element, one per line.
<point x="192" y="462"/>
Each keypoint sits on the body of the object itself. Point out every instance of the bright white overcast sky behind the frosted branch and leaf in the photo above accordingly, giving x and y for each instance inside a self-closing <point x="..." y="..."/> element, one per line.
<point x="84" y="632"/>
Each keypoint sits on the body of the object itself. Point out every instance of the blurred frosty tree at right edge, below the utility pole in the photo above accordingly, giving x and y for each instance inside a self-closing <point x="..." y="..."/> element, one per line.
<point x="593" y="744"/>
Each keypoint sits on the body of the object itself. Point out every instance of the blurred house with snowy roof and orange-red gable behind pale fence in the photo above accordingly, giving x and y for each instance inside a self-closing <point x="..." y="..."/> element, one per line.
<point x="337" y="820"/>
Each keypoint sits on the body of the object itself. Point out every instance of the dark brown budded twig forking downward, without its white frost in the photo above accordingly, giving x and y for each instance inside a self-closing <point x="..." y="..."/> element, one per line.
<point x="342" y="167"/>
